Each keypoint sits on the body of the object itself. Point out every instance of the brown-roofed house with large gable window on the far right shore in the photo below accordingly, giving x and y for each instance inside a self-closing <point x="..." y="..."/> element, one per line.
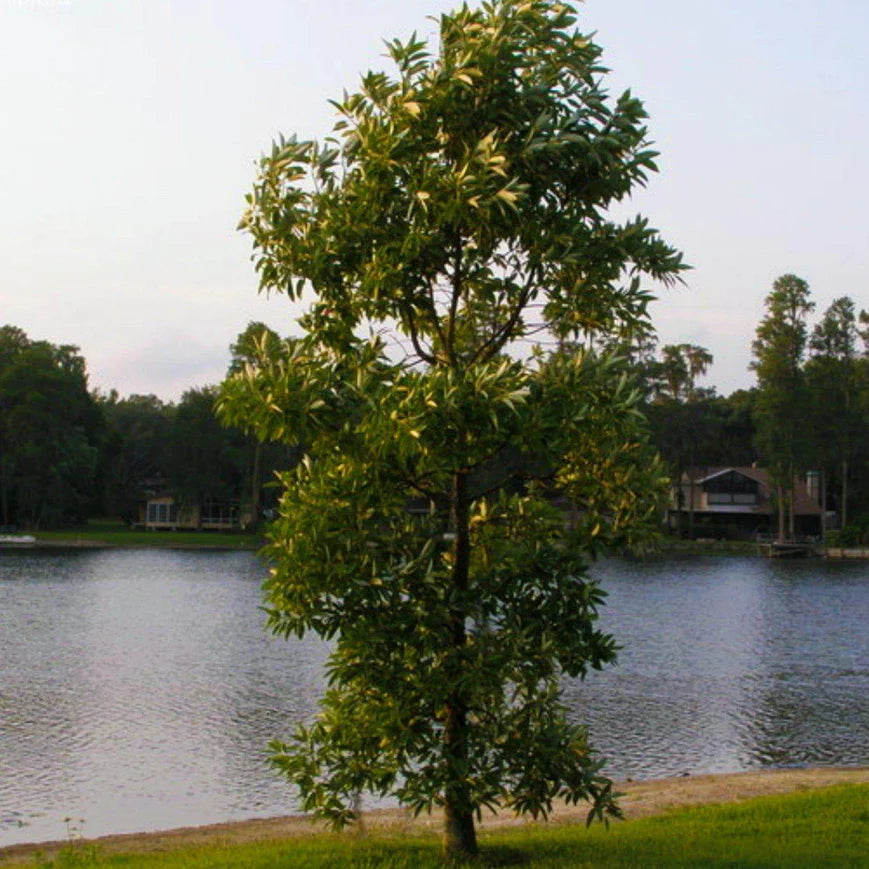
<point x="738" y="502"/>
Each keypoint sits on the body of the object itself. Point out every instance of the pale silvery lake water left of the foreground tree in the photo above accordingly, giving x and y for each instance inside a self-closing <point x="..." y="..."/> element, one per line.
<point x="139" y="690"/>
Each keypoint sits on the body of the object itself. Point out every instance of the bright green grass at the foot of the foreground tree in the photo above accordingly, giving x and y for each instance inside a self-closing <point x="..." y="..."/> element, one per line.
<point x="818" y="828"/>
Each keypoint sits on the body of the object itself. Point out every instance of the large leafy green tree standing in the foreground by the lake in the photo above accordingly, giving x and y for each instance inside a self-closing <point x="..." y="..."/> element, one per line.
<point x="459" y="207"/>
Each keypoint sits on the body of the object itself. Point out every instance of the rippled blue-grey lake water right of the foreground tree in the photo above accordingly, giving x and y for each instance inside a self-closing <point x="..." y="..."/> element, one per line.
<point x="731" y="664"/>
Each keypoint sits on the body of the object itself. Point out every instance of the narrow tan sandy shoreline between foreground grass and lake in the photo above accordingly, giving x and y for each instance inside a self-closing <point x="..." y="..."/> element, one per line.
<point x="640" y="799"/>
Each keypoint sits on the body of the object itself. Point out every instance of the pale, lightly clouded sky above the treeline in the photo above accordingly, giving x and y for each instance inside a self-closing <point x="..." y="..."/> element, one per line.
<point x="130" y="132"/>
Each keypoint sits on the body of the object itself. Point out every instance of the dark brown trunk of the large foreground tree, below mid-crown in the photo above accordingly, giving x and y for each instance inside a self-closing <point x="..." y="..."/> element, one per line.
<point x="460" y="837"/>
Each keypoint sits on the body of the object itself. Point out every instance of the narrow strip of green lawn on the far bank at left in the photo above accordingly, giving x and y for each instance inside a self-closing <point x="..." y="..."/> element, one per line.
<point x="112" y="533"/>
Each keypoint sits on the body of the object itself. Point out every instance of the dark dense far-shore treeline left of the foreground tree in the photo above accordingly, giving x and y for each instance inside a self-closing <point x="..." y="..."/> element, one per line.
<point x="68" y="453"/>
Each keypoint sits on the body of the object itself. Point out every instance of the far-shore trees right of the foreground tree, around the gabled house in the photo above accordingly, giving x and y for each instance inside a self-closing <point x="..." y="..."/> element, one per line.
<point x="808" y="413"/>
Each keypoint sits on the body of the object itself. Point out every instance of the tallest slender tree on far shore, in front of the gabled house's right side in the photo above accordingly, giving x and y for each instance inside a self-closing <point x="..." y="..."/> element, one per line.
<point x="779" y="348"/>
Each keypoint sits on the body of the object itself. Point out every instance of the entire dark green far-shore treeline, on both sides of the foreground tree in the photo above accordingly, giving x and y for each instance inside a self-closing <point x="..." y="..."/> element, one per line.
<point x="67" y="453"/>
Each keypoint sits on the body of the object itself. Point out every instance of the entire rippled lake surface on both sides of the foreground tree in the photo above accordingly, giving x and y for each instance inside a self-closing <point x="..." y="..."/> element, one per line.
<point x="138" y="689"/>
